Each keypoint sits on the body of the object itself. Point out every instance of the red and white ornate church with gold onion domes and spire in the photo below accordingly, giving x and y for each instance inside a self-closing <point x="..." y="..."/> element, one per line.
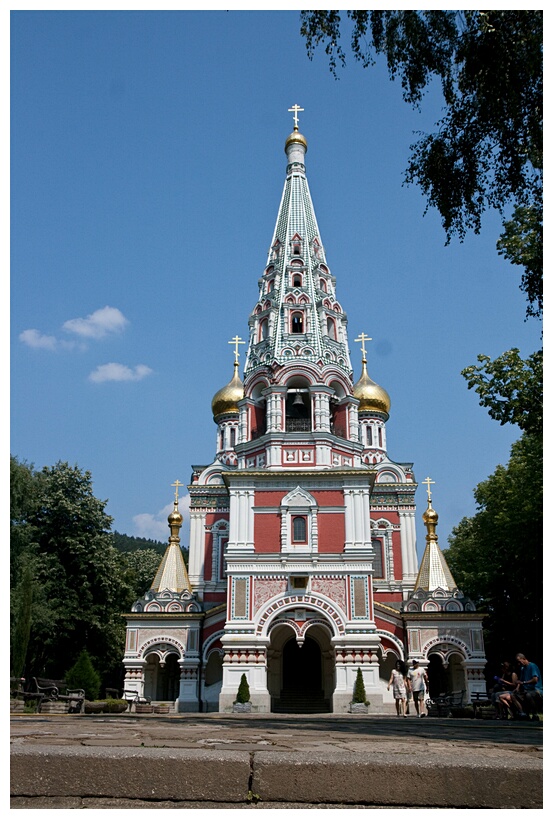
<point x="303" y="563"/>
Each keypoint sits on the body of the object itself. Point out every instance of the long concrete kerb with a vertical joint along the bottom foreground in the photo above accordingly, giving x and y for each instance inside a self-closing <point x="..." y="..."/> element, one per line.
<point x="484" y="779"/>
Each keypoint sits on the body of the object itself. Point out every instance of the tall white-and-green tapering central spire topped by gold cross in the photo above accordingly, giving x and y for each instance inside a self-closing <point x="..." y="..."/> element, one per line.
<point x="297" y="316"/>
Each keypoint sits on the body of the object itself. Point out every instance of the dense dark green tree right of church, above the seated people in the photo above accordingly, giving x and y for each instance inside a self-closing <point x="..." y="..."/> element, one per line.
<point x="496" y="556"/>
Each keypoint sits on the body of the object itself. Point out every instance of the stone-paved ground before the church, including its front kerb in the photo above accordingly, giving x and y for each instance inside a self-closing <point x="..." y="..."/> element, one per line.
<point x="214" y="761"/>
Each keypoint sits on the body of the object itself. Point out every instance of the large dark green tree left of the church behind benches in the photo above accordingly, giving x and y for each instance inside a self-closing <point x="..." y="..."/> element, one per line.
<point x="79" y="589"/>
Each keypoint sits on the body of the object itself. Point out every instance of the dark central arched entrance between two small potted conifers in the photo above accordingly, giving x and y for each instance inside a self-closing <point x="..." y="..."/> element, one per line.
<point x="300" y="675"/>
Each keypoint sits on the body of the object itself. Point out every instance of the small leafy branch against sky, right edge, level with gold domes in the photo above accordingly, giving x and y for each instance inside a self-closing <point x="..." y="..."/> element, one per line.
<point x="511" y="388"/>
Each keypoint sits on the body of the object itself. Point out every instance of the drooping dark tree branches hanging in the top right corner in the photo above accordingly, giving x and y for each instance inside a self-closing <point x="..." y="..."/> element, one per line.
<point x="486" y="151"/>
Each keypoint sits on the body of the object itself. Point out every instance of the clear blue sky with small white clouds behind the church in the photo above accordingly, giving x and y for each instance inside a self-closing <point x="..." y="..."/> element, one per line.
<point x="147" y="165"/>
